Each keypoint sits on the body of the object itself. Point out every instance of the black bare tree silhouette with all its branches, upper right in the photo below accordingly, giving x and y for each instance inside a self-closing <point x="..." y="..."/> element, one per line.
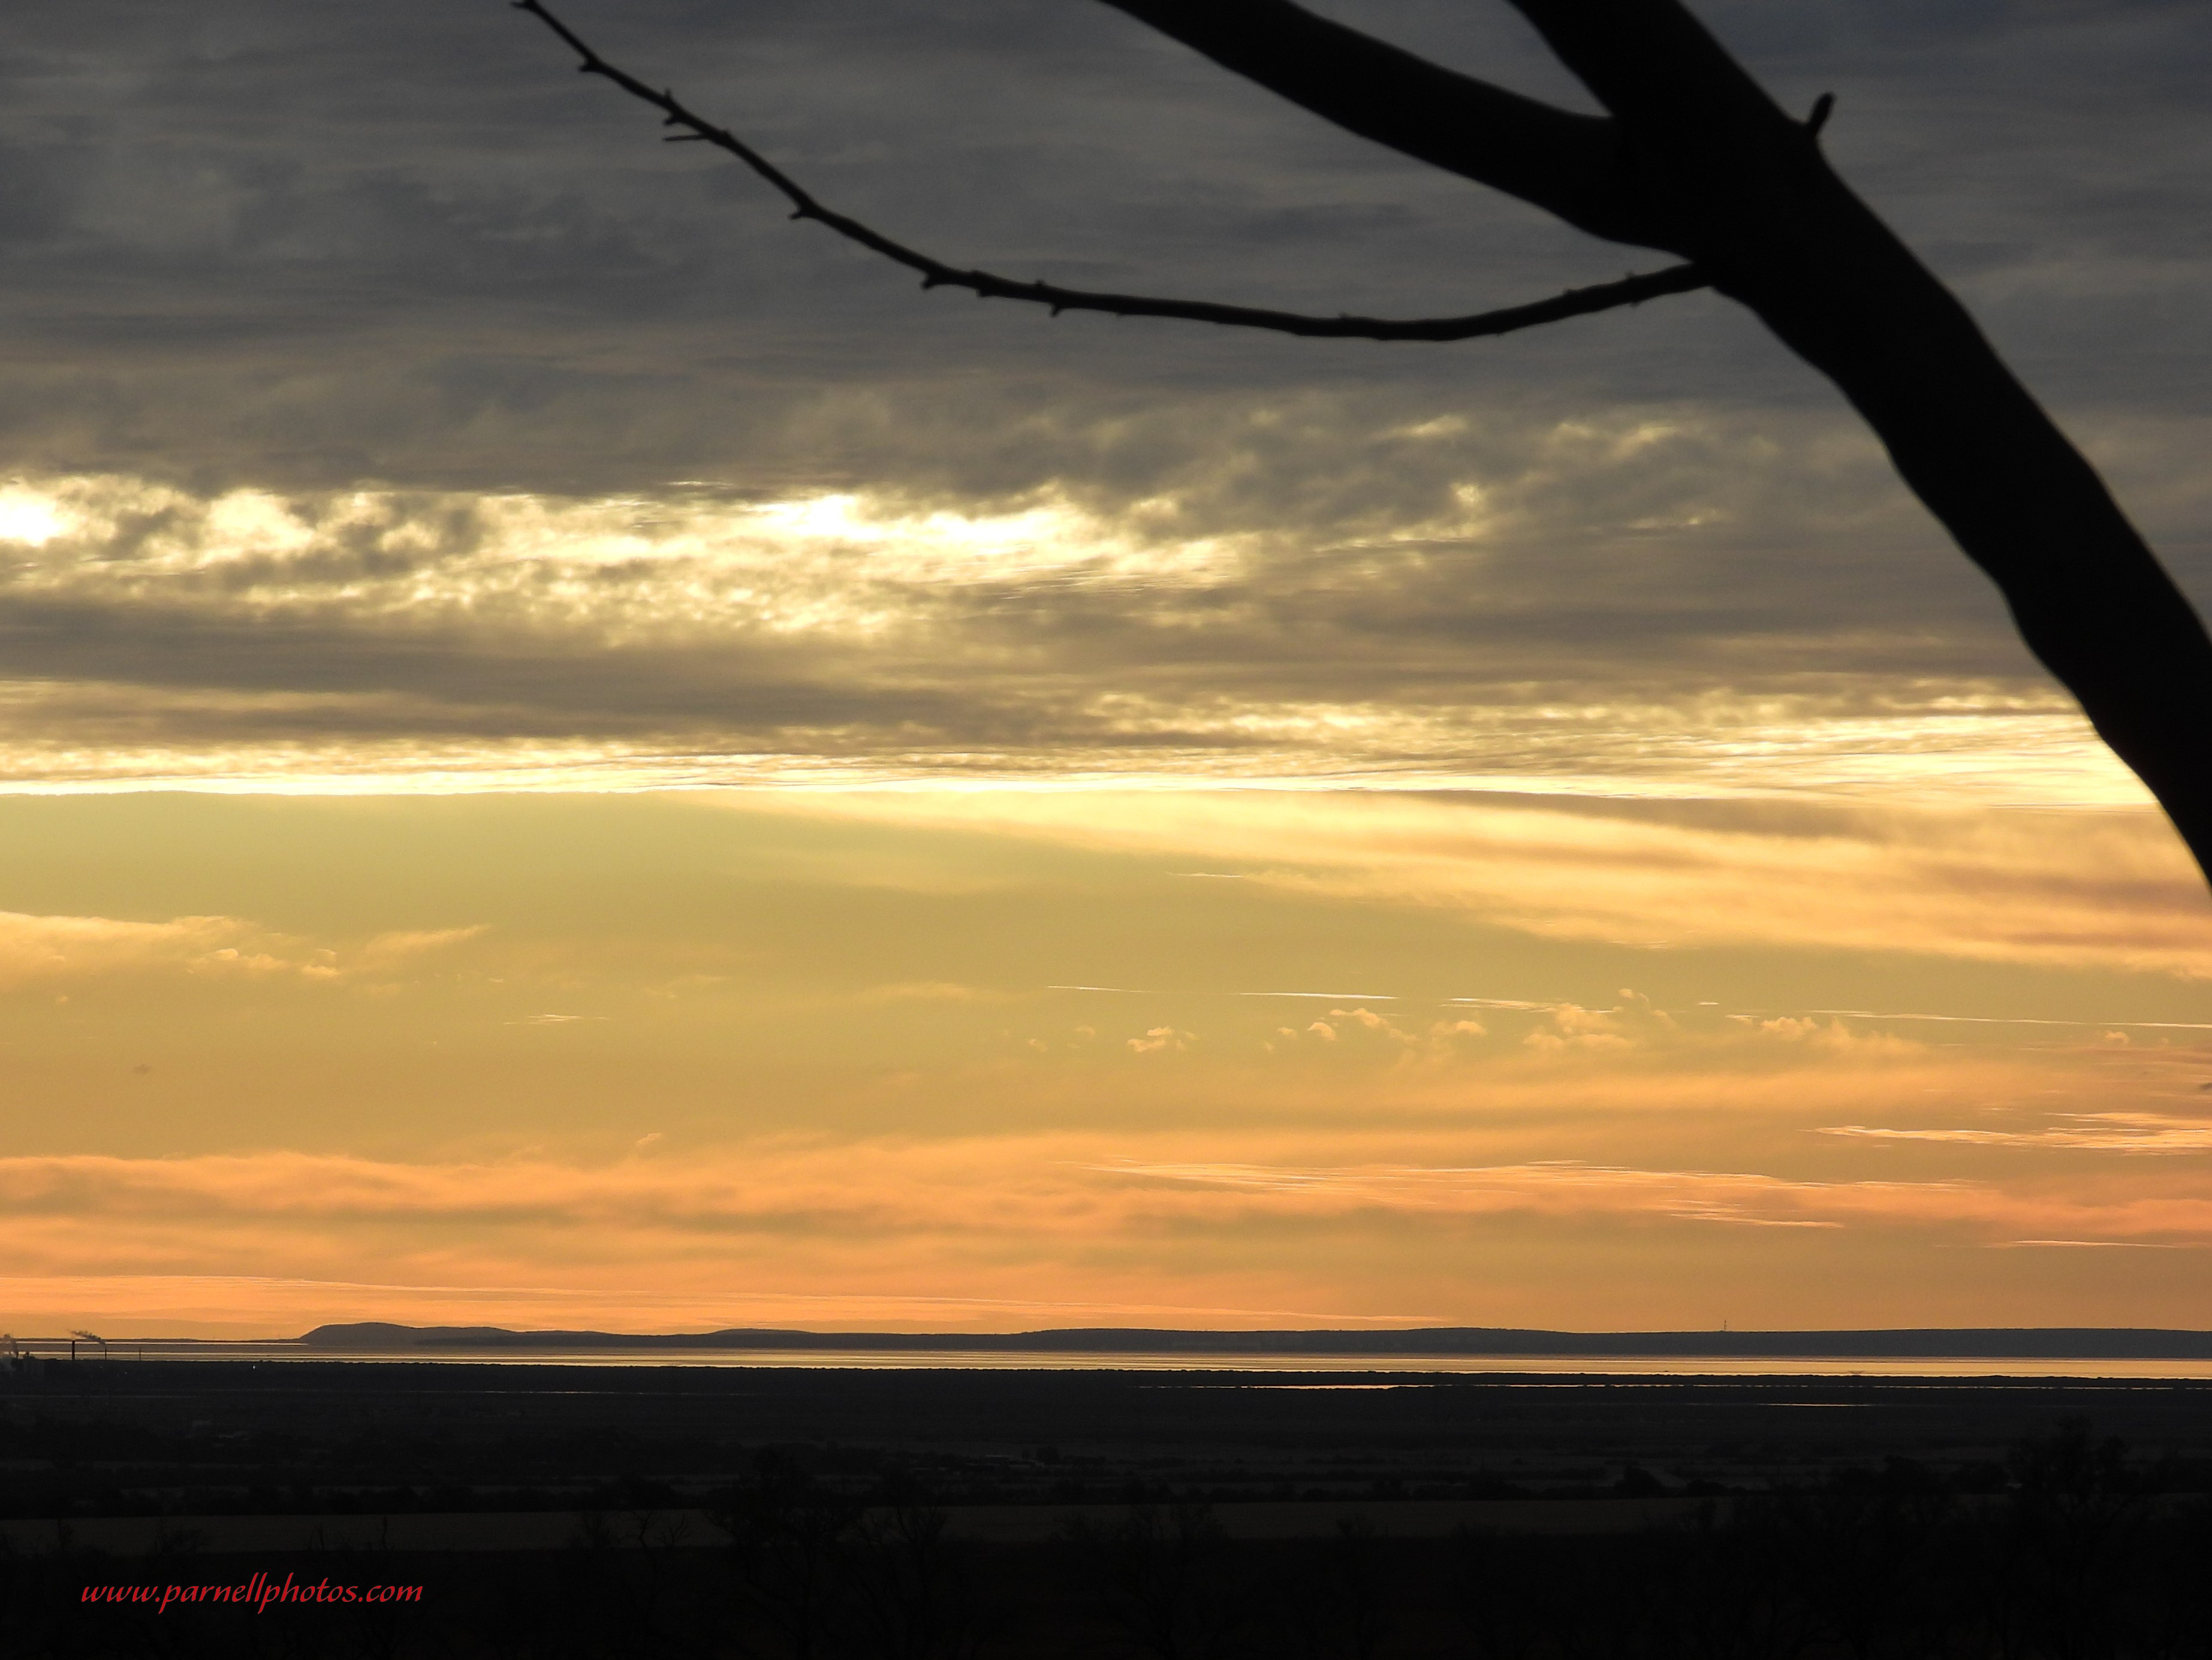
<point x="1695" y="160"/>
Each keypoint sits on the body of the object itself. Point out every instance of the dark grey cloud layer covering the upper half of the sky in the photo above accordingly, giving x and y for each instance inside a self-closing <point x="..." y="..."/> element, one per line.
<point x="302" y="249"/>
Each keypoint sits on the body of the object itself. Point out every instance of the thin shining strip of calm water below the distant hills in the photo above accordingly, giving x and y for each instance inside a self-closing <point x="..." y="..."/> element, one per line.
<point x="1140" y="1363"/>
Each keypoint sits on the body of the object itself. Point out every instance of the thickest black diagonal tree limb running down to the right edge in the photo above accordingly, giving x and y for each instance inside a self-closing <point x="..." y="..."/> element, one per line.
<point x="1757" y="207"/>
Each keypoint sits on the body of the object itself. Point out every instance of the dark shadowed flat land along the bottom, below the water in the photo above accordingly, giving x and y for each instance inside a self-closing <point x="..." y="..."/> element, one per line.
<point x="680" y="1511"/>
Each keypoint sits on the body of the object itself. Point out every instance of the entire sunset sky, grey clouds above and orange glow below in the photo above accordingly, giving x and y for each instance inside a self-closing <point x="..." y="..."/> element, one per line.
<point x="581" y="755"/>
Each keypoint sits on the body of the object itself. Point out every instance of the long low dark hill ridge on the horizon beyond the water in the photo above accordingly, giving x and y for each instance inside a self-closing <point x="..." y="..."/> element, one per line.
<point x="1921" y="1343"/>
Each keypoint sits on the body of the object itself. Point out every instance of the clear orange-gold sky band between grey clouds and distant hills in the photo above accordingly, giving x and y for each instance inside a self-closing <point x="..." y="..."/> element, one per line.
<point x="983" y="1060"/>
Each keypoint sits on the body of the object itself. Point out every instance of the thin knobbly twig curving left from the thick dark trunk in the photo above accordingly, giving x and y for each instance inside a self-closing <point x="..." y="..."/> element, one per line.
<point x="935" y="273"/>
